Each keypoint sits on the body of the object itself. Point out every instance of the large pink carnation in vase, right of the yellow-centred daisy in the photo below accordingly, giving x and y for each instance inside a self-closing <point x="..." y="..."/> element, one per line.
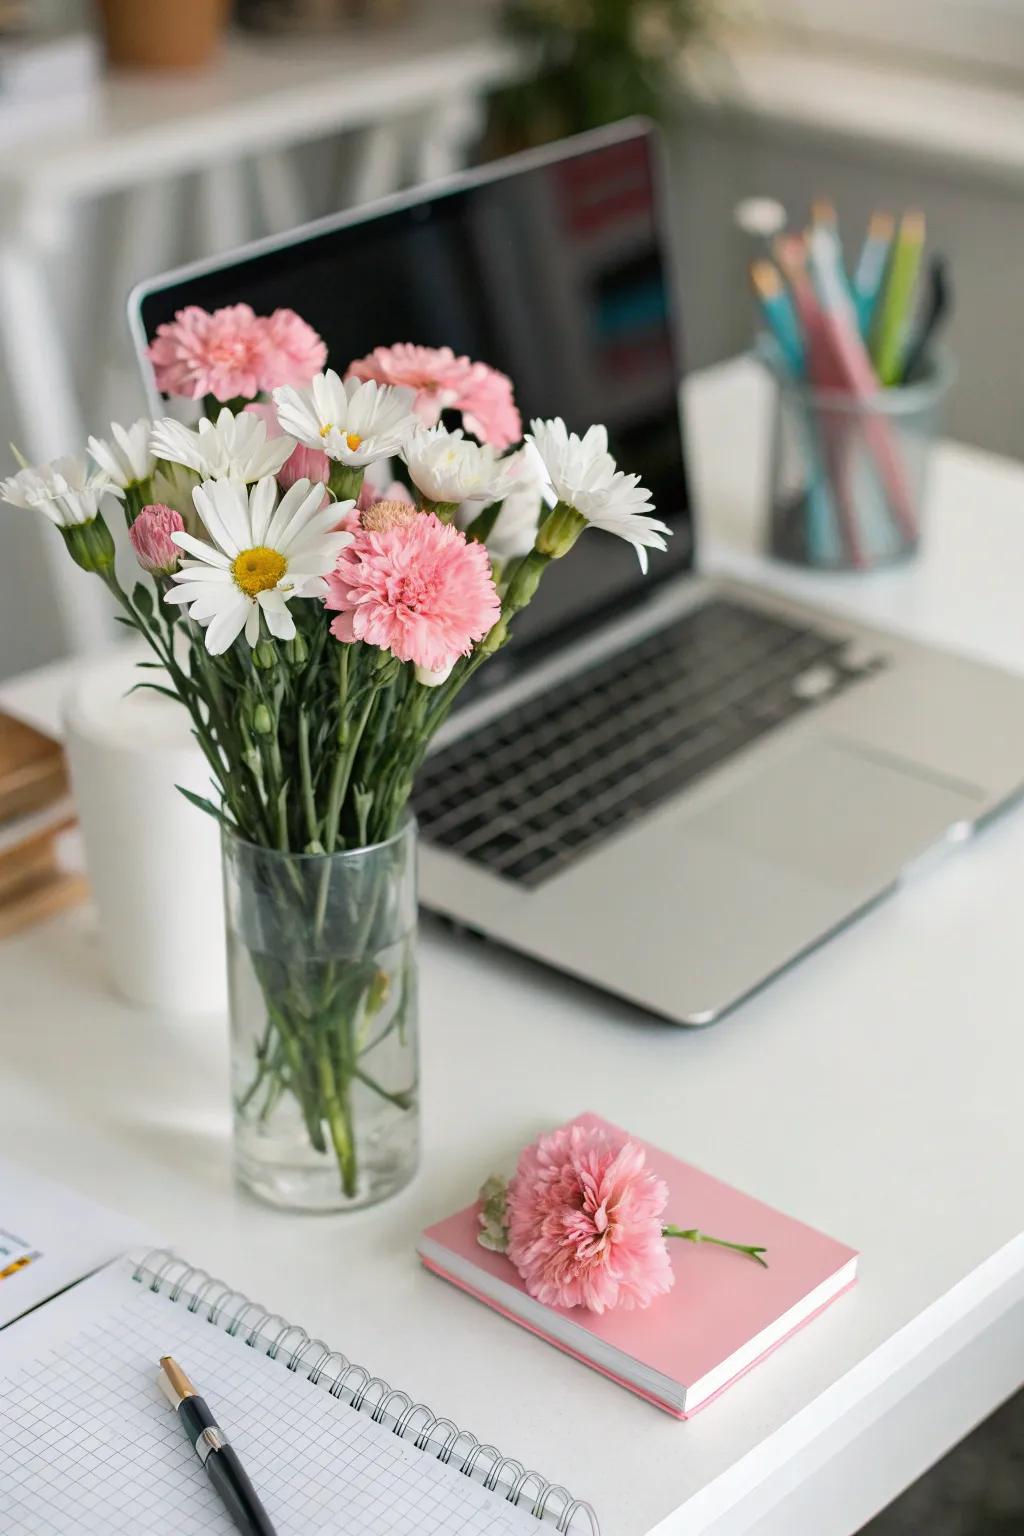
<point x="420" y="591"/>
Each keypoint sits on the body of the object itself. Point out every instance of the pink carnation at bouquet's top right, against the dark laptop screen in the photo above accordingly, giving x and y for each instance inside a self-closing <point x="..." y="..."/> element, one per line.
<point x="448" y="383"/>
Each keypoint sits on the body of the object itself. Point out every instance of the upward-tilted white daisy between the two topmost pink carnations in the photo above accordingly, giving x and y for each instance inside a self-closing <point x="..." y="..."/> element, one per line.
<point x="348" y="420"/>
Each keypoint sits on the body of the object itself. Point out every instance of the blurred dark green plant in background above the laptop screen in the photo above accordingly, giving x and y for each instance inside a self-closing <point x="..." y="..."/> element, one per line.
<point x="598" y="62"/>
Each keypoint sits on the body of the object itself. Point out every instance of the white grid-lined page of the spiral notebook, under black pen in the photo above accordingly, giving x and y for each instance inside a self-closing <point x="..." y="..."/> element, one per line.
<point x="90" y="1445"/>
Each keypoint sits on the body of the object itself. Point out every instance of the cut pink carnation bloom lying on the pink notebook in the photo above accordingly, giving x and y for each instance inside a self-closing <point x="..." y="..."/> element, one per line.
<point x="586" y="1222"/>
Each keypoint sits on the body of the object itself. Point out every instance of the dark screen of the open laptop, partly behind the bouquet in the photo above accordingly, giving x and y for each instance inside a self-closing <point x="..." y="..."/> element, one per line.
<point x="552" y="271"/>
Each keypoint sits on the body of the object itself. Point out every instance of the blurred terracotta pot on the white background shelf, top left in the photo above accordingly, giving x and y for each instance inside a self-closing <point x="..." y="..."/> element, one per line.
<point x="164" y="35"/>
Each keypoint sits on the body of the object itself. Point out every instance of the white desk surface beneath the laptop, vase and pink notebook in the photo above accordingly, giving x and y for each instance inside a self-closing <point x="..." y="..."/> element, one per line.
<point x="874" y="1091"/>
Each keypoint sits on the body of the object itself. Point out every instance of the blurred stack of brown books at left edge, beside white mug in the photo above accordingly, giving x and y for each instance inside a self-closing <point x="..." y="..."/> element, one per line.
<point x="41" y="861"/>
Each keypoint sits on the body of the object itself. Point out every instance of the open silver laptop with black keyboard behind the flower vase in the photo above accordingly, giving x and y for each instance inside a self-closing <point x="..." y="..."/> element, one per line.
<point x="667" y="786"/>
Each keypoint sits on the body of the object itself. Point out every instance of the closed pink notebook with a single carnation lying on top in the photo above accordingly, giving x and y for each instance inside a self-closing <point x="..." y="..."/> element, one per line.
<point x="578" y="1251"/>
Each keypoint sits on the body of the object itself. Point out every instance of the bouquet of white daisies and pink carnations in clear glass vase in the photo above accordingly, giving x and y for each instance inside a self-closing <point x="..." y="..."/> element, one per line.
<point x="326" y="560"/>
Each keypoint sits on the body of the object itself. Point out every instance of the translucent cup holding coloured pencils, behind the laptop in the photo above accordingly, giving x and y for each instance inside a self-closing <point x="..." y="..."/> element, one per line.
<point x="848" y="475"/>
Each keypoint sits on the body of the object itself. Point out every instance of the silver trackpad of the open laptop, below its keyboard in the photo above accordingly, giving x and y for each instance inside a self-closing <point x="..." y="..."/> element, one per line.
<point x="841" y="815"/>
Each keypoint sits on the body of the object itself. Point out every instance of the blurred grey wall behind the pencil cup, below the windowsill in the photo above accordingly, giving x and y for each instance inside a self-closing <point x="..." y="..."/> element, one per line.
<point x="977" y="220"/>
